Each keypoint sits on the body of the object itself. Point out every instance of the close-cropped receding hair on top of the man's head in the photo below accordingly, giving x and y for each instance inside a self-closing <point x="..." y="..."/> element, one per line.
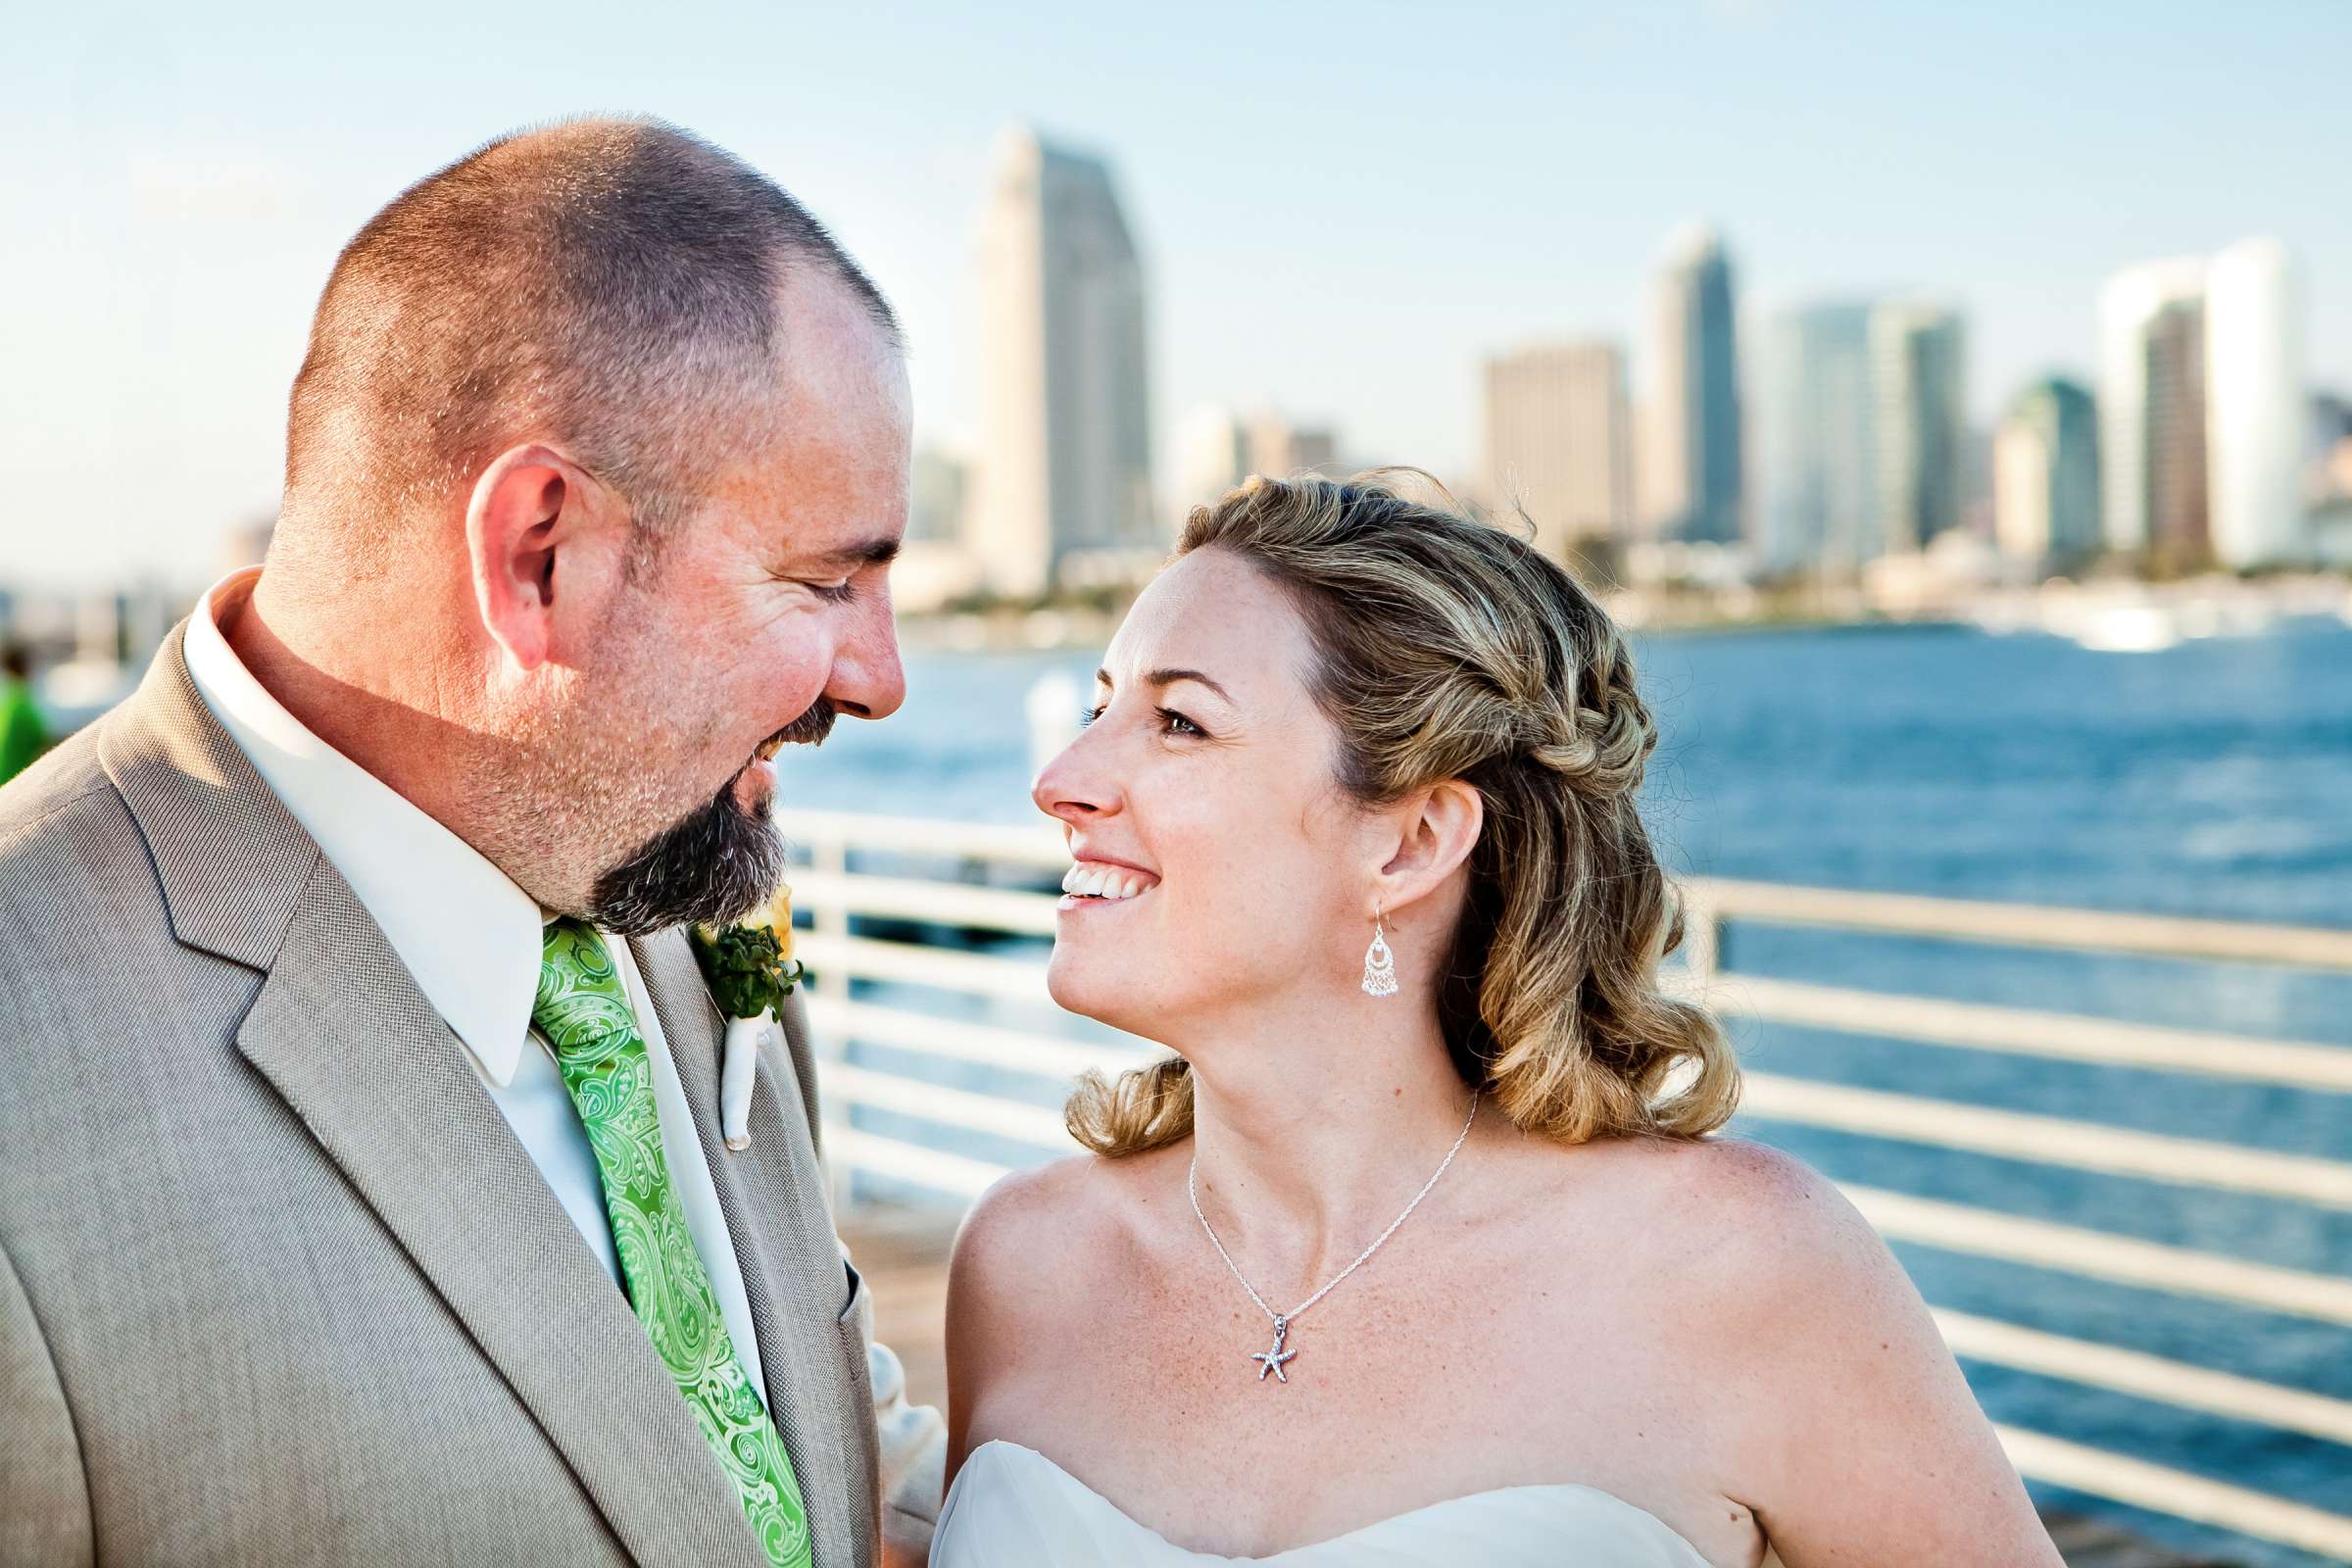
<point x="608" y="286"/>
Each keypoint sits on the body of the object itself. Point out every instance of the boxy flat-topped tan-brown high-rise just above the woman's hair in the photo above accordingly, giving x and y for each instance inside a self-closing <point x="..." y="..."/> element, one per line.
<point x="1558" y="443"/>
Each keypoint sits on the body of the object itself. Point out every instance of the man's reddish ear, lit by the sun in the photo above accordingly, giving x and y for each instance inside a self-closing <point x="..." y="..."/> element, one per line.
<point x="537" y="547"/>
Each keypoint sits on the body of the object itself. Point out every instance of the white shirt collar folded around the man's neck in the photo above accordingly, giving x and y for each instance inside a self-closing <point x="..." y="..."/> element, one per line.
<point x="467" y="932"/>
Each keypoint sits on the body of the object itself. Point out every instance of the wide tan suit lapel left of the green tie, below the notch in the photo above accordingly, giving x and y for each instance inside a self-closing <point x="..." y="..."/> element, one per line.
<point x="361" y="1057"/>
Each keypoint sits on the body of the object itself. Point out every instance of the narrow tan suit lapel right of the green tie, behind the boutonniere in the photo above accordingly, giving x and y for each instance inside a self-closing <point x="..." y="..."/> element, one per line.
<point x="782" y="1226"/>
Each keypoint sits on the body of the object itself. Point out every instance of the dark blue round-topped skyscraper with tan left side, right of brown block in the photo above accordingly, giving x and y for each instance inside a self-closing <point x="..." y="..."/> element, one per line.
<point x="1690" y="455"/>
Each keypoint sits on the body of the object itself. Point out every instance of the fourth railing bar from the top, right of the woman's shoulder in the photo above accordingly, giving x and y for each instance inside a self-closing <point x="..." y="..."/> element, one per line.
<point x="2092" y="1254"/>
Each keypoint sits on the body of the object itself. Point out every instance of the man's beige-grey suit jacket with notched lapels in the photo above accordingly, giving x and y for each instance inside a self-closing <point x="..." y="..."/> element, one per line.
<point x="279" y="1285"/>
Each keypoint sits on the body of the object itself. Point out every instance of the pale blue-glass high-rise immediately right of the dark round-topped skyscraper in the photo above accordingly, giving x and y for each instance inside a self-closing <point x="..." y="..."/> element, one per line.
<point x="1817" y="438"/>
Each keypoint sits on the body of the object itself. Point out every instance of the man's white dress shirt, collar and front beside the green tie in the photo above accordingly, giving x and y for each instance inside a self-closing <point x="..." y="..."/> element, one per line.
<point x="472" y="939"/>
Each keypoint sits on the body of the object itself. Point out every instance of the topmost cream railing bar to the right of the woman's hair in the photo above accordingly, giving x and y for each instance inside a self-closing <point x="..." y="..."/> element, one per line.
<point x="2022" y="925"/>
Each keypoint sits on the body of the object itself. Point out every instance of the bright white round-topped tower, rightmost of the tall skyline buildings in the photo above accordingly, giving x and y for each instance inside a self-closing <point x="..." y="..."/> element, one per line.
<point x="2254" y="403"/>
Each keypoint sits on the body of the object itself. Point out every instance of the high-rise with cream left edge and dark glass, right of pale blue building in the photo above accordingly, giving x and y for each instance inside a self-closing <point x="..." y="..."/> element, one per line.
<point x="1918" y="370"/>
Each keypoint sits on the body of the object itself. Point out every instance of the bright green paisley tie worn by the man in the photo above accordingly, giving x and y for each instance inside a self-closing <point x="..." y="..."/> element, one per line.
<point x="584" y="1014"/>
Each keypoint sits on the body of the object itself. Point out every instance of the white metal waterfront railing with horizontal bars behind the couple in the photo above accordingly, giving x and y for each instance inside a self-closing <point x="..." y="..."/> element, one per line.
<point x="963" y="859"/>
